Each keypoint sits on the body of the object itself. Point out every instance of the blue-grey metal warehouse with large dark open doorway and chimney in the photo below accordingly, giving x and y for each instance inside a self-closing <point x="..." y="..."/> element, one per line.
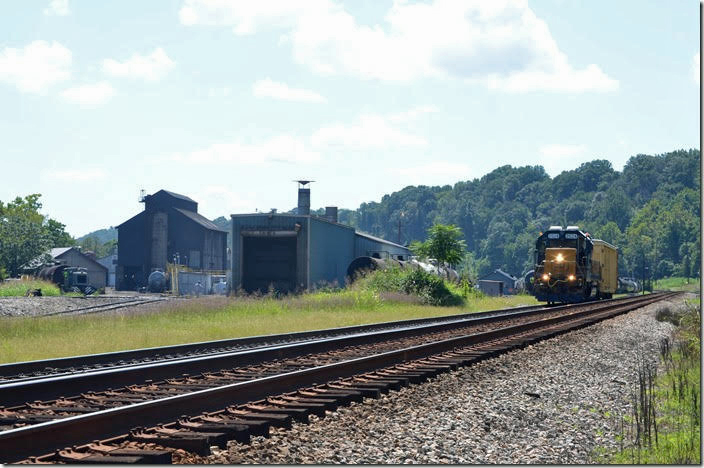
<point x="299" y="251"/>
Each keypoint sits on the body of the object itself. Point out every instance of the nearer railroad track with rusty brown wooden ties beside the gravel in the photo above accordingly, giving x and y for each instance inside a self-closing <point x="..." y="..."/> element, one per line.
<point x="196" y="411"/>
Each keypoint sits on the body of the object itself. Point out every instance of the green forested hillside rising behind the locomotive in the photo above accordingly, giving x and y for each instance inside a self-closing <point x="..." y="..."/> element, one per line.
<point x="650" y="210"/>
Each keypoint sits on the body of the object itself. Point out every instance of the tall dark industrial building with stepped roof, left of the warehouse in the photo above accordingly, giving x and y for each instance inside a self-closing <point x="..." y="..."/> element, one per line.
<point x="169" y="230"/>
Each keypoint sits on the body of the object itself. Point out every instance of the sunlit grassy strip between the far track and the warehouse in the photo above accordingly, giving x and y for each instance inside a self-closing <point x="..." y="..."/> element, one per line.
<point x="212" y="318"/>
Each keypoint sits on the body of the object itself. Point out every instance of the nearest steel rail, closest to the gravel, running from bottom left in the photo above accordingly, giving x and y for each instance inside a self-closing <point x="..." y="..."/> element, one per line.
<point x="20" y="443"/>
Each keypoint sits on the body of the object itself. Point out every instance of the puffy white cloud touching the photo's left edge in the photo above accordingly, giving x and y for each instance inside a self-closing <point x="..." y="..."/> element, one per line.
<point x="36" y="67"/>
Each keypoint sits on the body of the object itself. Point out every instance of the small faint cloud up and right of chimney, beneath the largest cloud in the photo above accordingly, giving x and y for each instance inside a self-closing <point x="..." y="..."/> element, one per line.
<point x="370" y="131"/>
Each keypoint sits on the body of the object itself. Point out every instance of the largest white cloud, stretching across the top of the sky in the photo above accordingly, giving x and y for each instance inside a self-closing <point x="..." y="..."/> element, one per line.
<point x="501" y="44"/>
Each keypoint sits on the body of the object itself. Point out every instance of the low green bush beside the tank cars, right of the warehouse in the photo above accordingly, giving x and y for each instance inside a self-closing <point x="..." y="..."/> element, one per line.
<point x="429" y="288"/>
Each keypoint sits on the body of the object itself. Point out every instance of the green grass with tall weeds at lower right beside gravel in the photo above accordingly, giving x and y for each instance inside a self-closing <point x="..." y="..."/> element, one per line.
<point x="677" y="401"/>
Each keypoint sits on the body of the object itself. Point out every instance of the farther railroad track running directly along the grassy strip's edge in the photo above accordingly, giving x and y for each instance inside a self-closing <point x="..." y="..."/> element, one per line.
<point x="30" y="370"/>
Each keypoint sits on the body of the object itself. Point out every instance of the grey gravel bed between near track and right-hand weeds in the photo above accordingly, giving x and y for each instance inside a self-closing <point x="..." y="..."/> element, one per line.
<point x="484" y="413"/>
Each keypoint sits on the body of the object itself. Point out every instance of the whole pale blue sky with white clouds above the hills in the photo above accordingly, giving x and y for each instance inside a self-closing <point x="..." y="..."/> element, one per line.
<point x="228" y="102"/>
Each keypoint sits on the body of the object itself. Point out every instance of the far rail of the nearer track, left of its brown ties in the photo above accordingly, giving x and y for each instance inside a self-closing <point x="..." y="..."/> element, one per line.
<point x="17" y="393"/>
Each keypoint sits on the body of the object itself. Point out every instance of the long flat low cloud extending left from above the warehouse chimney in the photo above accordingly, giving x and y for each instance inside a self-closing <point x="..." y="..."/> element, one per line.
<point x="282" y="148"/>
